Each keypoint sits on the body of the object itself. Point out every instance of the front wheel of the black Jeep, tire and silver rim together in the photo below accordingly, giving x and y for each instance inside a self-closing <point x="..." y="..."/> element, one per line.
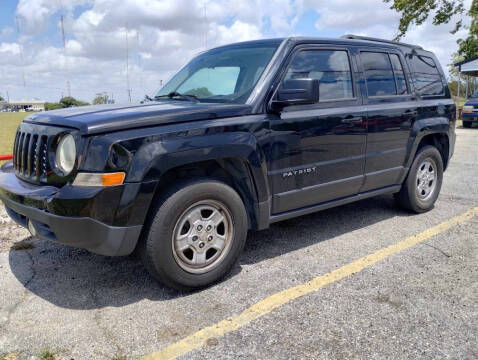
<point x="187" y="257"/>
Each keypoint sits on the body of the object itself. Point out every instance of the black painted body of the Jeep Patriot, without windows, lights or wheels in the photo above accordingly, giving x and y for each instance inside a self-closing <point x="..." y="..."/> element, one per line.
<point x="283" y="164"/>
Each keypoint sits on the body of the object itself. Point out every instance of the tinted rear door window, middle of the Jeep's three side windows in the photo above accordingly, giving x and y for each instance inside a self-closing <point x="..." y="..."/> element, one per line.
<point x="378" y="74"/>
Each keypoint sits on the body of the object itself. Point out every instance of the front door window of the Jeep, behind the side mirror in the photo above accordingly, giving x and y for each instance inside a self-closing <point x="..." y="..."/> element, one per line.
<point x="331" y="68"/>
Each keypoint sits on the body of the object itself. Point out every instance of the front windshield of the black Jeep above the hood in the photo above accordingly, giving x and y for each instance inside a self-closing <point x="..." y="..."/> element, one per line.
<point x="223" y="75"/>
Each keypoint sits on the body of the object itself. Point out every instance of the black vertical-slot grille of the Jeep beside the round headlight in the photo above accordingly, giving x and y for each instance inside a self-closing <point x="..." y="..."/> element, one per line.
<point x="30" y="155"/>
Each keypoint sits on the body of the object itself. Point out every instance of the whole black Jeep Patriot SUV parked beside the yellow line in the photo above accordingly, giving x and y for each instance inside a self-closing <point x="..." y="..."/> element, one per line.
<point x="243" y="136"/>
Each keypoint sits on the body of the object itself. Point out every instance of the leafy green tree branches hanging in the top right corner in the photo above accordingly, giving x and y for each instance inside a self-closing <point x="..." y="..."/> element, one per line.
<point x="417" y="11"/>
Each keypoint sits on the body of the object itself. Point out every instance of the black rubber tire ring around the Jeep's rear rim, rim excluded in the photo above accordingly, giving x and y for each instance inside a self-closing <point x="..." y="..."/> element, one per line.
<point x="416" y="203"/>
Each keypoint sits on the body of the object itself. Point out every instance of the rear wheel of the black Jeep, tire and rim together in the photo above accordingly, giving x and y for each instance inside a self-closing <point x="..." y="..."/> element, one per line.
<point x="418" y="193"/>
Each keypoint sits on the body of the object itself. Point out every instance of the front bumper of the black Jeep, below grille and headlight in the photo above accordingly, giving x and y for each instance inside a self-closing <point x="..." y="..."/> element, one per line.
<point x="45" y="207"/>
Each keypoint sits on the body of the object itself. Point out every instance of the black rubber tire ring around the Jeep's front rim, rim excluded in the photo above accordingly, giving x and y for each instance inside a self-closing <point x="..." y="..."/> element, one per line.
<point x="159" y="252"/>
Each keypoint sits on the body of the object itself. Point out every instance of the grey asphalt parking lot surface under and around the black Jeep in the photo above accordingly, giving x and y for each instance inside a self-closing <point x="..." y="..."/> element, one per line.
<point x="421" y="302"/>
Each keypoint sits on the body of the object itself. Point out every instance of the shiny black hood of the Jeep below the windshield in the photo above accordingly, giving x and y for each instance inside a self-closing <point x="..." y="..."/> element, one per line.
<point x="105" y="118"/>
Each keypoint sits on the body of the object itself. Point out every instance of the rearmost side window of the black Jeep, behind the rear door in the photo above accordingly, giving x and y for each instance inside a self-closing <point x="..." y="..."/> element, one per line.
<point x="428" y="80"/>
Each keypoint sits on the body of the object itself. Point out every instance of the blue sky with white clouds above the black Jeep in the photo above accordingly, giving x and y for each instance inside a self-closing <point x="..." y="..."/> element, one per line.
<point x="147" y="41"/>
